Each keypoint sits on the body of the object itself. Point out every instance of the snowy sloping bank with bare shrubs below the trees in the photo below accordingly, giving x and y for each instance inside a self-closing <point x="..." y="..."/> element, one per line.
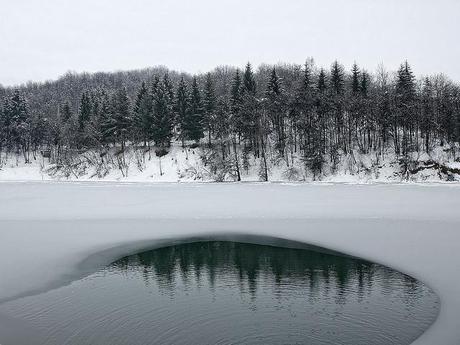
<point x="187" y="165"/>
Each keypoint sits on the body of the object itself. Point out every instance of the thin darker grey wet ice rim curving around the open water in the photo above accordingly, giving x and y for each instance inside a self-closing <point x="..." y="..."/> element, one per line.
<point x="99" y="259"/>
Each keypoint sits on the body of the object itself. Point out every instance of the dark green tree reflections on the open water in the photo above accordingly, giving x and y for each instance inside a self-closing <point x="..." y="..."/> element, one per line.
<point x="203" y="263"/>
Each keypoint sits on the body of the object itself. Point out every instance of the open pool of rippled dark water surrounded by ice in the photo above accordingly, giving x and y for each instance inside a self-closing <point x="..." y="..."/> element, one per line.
<point x="232" y="293"/>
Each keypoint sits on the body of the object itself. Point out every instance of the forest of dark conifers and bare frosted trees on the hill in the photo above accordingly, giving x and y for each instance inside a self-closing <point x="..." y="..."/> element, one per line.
<point x="285" y="111"/>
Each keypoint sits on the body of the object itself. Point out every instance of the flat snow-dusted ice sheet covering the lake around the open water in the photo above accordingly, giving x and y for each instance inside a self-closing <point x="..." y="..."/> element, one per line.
<point x="50" y="229"/>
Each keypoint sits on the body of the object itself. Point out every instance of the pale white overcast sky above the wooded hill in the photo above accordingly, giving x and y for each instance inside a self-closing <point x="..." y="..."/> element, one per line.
<point x="43" y="39"/>
